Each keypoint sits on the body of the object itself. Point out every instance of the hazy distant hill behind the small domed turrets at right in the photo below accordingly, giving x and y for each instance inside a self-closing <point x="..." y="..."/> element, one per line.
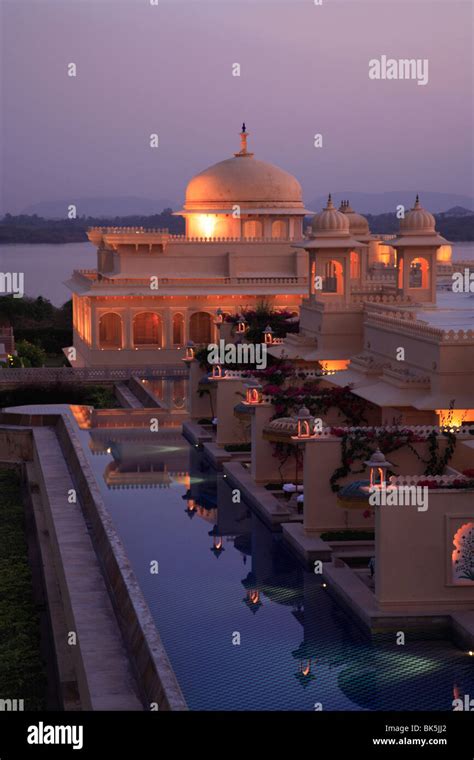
<point x="383" y="203"/>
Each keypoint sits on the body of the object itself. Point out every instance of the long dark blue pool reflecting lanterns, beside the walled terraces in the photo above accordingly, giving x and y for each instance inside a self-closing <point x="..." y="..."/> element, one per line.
<point x="244" y="625"/>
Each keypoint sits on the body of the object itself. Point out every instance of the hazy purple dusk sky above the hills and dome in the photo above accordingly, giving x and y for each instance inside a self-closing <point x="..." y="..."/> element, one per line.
<point x="167" y="69"/>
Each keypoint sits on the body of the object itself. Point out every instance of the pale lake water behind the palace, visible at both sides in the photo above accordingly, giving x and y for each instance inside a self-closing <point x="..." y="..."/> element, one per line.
<point x="46" y="267"/>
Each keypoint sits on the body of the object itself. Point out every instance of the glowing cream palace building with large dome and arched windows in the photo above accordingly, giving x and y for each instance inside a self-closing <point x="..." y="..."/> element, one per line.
<point x="152" y="292"/>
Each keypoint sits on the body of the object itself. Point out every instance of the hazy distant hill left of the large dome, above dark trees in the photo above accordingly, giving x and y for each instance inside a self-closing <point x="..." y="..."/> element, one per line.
<point x="101" y="207"/>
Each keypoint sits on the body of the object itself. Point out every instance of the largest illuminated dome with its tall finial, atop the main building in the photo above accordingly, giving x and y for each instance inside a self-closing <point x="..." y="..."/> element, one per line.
<point x="246" y="181"/>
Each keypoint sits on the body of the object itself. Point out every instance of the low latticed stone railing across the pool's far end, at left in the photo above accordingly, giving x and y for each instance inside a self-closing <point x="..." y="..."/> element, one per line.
<point x="32" y="375"/>
